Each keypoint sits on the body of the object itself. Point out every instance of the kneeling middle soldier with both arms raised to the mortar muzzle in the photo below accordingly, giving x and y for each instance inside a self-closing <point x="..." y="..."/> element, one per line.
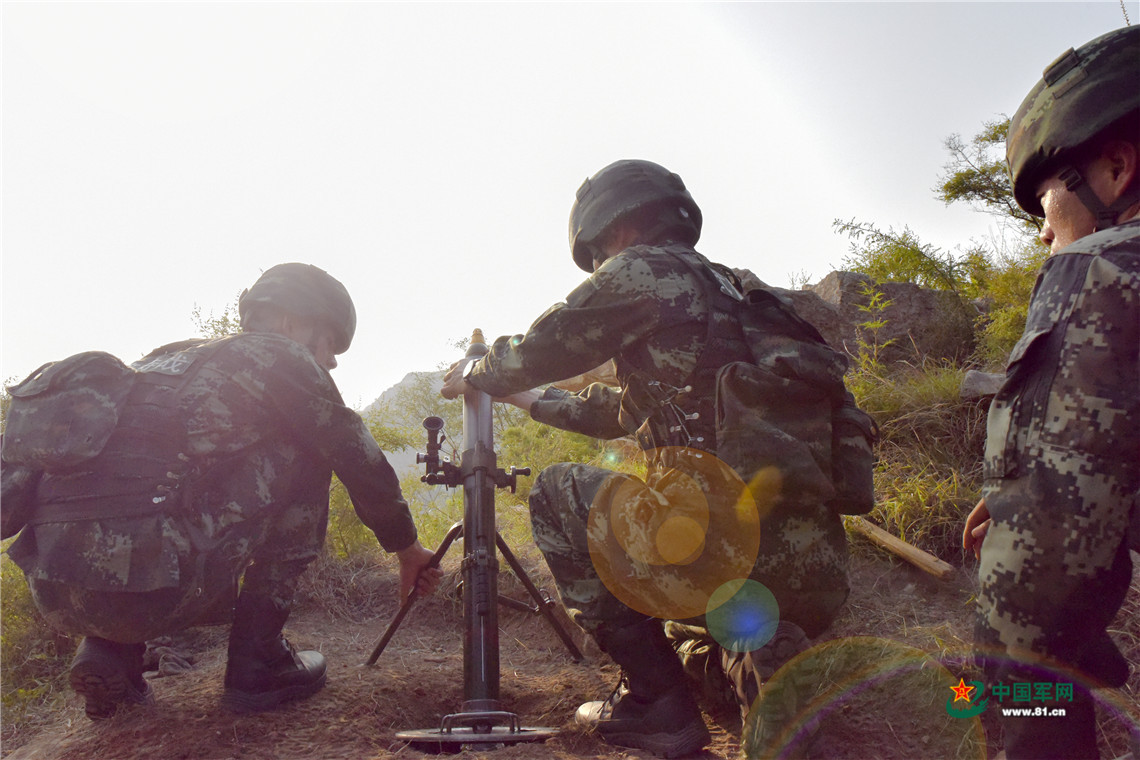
<point x="629" y="554"/>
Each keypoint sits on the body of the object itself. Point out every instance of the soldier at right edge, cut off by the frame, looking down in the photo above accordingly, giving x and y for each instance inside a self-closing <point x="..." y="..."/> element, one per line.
<point x="1063" y="454"/>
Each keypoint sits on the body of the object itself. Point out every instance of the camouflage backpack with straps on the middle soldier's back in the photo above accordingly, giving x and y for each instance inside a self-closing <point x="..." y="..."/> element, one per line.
<point x="768" y="396"/>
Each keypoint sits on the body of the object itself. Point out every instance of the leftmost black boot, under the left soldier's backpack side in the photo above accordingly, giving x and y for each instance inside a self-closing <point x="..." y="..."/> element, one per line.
<point x="108" y="675"/>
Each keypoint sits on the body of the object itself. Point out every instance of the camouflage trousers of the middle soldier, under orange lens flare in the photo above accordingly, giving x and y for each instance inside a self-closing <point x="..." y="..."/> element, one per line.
<point x="799" y="552"/>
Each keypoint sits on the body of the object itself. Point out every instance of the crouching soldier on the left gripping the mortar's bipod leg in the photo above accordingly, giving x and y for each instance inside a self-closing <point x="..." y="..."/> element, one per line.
<point x="215" y="467"/>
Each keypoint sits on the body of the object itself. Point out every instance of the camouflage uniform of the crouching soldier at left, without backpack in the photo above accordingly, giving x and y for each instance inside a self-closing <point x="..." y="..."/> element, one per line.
<point x="144" y="541"/>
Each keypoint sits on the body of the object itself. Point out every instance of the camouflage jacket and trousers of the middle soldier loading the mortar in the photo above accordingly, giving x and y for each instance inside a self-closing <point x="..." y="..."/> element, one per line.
<point x="648" y="313"/>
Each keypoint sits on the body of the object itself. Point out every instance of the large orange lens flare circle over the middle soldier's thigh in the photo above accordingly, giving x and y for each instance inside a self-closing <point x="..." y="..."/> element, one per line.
<point x="665" y="547"/>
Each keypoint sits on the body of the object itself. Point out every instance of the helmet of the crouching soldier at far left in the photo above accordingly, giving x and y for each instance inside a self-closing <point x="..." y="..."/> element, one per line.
<point x="308" y="292"/>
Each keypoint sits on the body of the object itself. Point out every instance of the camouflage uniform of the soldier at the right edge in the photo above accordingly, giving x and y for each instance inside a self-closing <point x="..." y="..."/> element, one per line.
<point x="1063" y="475"/>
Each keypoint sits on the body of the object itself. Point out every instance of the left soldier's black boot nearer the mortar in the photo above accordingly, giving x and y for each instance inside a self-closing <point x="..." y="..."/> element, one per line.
<point x="264" y="671"/>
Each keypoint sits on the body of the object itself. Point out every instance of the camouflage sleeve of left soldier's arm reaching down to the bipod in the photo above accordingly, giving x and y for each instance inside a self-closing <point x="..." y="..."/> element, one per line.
<point x="312" y="410"/>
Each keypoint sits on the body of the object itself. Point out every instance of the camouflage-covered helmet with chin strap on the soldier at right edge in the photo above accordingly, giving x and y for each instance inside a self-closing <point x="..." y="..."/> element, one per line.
<point x="1080" y="95"/>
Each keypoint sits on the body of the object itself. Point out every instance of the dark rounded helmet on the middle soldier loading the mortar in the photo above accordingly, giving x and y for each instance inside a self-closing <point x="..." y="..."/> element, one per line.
<point x="623" y="189"/>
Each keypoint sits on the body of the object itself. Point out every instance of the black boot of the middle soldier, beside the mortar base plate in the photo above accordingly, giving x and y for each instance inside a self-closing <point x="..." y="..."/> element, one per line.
<point x="652" y="708"/>
